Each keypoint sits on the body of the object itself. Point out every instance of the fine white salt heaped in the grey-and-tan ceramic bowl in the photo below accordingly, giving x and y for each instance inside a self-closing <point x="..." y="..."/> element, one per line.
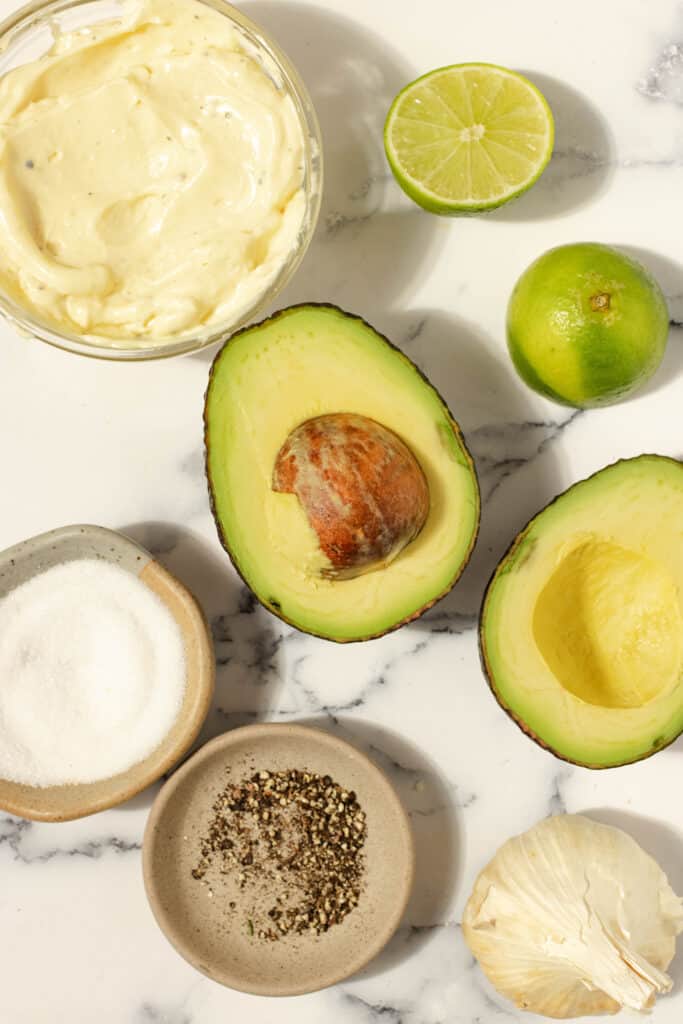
<point x="93" y="674"/>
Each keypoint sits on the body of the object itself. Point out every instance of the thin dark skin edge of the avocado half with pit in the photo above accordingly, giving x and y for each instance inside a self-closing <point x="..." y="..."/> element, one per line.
<point x="456" y="430"/>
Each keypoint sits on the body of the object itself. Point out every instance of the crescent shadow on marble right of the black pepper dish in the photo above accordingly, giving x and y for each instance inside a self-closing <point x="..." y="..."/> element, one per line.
<point x="430" y="803"/>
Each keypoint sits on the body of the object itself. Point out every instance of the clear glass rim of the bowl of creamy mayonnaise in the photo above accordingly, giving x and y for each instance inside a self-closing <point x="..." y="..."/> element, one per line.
<point x="28" y="18"/>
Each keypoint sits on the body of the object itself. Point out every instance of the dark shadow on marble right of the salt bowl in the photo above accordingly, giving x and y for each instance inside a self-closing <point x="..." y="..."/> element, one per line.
<point x="246" y="642"/>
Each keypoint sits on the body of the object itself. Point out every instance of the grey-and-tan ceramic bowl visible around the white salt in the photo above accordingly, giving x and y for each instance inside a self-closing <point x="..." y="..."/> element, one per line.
<point x="22" y="563"/>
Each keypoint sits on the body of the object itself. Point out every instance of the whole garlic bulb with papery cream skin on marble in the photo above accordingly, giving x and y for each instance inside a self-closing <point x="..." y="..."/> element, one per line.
<point x="574" y="919"/>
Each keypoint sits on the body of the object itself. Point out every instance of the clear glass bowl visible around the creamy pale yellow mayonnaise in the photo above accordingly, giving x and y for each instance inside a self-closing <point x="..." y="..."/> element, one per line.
<point x="28" y="34"/>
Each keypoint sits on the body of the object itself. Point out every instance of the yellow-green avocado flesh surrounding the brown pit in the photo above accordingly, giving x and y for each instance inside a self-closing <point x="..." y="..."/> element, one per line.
<point x="303" y="363"/>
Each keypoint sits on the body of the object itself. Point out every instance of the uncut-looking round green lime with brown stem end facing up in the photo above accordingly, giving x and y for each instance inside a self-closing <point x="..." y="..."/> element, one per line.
<point x="587" y="325"/>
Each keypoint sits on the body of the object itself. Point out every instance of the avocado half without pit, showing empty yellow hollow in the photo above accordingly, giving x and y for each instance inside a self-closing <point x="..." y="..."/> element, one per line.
<point x="582" y="625"/>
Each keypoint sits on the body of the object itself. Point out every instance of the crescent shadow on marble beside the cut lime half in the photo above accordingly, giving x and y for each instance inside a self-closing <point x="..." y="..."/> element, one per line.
<point x="583" y="159"/>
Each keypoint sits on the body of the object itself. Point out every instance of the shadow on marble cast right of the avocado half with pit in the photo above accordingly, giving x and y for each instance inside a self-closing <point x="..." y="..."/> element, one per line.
<point x="518" y="463"/>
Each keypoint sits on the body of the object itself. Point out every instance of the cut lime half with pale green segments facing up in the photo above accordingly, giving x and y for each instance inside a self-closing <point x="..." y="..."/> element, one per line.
<point x="468" y="138"/>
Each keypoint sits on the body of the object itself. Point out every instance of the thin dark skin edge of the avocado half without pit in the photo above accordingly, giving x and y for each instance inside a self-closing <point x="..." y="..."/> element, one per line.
<point x="484" y="659"/>
